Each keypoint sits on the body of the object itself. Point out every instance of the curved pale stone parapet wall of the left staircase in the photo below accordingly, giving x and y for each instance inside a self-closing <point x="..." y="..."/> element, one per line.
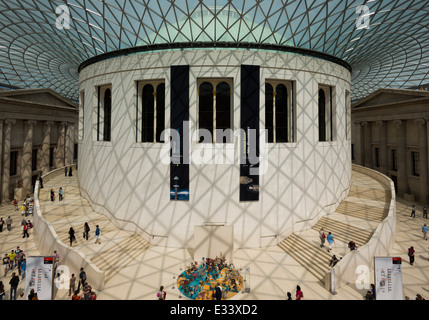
<point x="47" y="240"/>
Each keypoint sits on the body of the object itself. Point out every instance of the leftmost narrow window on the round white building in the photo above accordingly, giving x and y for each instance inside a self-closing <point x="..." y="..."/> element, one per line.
<point x="104" y="113"/>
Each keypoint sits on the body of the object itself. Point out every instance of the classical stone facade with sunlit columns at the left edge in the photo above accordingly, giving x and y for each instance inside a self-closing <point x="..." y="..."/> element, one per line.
<point x="38" y="130"/>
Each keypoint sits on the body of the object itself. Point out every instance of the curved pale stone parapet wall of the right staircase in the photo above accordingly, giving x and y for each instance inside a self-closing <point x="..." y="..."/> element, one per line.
<point x="380" y="244"/>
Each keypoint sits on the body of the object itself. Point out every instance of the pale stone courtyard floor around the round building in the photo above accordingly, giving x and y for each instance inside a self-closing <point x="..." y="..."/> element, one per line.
<point x="272" y="273"/>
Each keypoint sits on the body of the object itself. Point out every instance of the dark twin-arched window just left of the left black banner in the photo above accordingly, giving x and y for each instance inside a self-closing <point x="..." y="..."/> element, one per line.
<point x="150" y="119"/>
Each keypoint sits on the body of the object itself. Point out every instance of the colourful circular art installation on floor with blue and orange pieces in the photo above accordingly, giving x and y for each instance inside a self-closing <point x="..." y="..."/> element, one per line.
<point x="198" y="281"/>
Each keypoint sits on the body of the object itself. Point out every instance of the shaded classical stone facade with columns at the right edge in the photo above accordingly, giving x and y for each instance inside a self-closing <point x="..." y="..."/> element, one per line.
<point x="390" y="134"/>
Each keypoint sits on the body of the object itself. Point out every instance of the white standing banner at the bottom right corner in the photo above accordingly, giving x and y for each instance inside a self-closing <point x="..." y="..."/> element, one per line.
<point x="388" y="278"/>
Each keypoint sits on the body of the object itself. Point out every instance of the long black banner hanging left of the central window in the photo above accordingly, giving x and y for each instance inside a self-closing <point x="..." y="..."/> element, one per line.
<point x="179" y="165"/>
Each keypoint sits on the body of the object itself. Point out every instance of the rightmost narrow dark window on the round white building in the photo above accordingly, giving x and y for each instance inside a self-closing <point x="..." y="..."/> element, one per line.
<point x="326" y="113"/>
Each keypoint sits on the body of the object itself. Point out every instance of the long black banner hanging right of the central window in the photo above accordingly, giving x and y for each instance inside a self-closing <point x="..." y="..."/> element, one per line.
<point x="249" y="145"/>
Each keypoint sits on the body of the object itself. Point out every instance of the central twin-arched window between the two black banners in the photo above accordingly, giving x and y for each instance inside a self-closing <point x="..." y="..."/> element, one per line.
<point x="214" y="110"/>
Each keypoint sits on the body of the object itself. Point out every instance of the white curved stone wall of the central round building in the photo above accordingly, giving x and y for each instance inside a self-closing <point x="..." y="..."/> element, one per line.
<point x="128" y="181"/>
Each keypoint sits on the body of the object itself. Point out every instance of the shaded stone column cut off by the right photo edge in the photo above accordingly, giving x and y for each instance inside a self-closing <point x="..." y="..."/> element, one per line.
<point x="423" y="154"/>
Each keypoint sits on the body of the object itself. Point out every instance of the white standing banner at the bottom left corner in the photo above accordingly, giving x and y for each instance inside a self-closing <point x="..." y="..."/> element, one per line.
<point x="39" y="276"/>
